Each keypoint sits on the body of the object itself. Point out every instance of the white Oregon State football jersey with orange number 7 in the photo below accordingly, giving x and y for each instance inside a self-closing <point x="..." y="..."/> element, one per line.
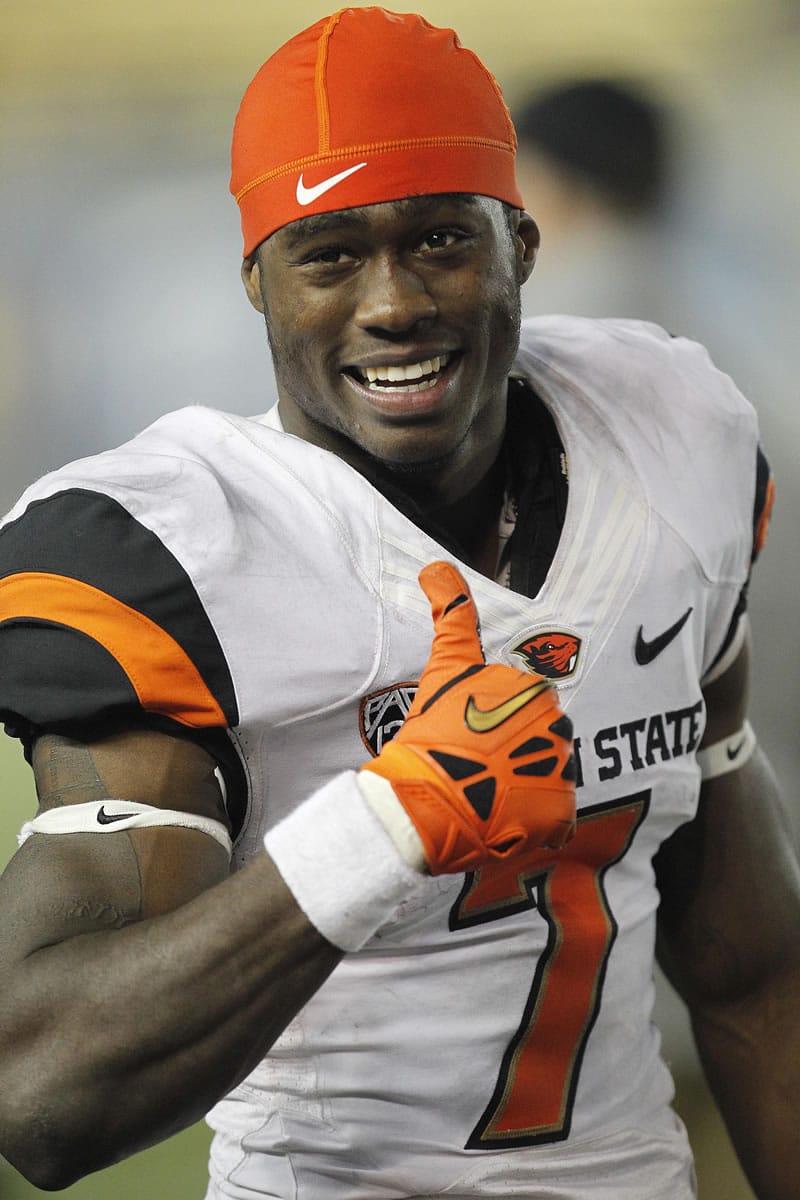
<point x="495" y="1037"/>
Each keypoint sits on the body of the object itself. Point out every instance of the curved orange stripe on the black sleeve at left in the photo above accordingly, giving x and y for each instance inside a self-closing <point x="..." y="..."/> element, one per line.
<point x="164" y="677"/>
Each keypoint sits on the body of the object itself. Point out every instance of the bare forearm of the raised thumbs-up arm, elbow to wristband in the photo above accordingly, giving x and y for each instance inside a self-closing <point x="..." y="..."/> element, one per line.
<point x="116" y="1040"/>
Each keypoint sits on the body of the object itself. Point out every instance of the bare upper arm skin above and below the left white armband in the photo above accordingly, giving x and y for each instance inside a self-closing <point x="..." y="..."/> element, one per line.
<point x="64" y="885"/>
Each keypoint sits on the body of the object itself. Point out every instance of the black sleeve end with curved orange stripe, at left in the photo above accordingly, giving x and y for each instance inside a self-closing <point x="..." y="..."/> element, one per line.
<point x="98" y="616"/>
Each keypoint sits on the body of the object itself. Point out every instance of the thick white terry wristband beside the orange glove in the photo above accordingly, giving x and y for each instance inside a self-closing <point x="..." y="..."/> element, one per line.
<point x="340" y="863"/>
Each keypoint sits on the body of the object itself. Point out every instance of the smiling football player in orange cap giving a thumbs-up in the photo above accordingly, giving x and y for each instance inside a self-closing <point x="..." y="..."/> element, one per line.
<point x="386" y="908"/>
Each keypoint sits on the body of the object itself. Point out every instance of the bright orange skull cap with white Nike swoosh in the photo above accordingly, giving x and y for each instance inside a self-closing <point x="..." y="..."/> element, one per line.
<point x="368" y="106"/>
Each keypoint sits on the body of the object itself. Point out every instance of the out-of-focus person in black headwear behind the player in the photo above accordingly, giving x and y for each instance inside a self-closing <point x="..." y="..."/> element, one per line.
<point x="594" y="160"/>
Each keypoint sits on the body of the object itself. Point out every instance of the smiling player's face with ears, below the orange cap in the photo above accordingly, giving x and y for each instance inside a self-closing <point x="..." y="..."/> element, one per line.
<point x="395" y="326"/>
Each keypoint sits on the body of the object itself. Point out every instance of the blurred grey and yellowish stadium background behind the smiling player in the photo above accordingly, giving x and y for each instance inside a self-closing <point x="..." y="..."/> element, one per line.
<point x="670" y="189"/>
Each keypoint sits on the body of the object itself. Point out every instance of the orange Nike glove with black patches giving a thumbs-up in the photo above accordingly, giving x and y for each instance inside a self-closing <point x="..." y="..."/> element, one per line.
<point x="483" y="764"/>
